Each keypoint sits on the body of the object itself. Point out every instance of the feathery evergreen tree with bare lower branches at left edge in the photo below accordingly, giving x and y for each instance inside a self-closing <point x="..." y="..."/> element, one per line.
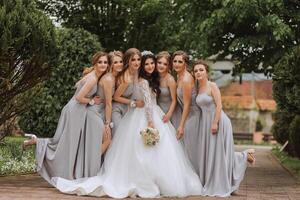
<point x="27" y="51"/>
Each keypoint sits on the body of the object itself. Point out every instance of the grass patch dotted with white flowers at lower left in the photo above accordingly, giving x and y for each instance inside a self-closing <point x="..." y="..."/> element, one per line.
<point x="13" y="160"/>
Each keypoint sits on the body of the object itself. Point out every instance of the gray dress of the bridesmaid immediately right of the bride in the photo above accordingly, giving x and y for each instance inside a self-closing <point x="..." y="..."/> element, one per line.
<point x="164" y="101"/>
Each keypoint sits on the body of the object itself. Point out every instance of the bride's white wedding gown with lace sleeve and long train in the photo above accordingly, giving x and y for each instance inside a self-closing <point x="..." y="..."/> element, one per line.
<point x="133" y="169"/>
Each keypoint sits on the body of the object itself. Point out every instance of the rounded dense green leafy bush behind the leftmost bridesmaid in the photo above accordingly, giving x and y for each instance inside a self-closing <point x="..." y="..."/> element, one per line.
<point x="76" y="47"/>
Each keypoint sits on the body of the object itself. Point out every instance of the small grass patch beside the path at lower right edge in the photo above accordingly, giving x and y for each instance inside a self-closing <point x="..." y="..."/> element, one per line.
<point x="292" y="163"/>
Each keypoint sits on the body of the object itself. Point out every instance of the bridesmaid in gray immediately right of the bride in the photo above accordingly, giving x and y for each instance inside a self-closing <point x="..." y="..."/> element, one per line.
<point x="167" y="99"/>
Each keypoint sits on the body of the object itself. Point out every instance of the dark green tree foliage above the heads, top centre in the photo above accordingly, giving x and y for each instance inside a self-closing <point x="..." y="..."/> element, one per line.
<point x="147" y="24"/>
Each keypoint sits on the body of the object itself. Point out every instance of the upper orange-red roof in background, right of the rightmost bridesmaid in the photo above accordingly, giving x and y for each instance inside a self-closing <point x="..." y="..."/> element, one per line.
<point x="261" y="90"/>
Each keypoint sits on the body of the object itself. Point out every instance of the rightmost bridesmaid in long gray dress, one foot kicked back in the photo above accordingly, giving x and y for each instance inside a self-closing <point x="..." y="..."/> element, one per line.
<point x="221" y="170"/>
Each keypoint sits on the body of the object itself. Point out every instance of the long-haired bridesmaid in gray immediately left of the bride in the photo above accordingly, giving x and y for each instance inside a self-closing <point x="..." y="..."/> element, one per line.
<point x="124" y="96"/>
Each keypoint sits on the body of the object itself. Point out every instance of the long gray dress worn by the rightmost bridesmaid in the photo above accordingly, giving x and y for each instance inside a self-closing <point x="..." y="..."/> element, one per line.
<point x="221" y="170"/>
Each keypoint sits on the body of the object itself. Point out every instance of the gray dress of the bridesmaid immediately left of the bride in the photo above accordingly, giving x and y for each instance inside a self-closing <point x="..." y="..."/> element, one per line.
<point x="119" y="109"/>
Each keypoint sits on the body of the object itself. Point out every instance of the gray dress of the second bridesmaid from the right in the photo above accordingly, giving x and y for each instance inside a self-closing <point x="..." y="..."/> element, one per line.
<point x="191" y="127"/>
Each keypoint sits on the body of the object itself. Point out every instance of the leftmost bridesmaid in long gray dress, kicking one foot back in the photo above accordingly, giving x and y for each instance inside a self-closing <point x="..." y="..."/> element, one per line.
<point x="75" y="149"/>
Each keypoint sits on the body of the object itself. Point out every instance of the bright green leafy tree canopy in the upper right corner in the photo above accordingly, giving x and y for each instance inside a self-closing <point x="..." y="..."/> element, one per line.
<point x="256" y="33"/>
